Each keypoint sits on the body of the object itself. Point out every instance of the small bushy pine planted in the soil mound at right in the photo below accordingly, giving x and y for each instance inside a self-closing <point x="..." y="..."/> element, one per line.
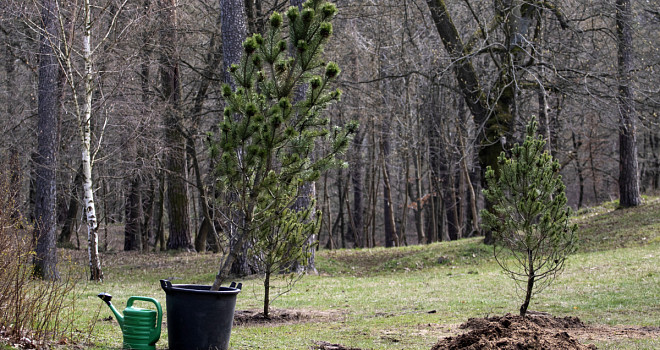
<point x="529" y="217"/>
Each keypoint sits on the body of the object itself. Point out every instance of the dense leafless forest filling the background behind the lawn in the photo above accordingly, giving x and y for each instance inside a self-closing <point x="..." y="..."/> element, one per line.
<point x="439" y="88"/>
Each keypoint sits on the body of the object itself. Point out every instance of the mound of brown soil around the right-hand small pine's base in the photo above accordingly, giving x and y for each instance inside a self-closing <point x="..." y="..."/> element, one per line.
<point x="509" y="332"/>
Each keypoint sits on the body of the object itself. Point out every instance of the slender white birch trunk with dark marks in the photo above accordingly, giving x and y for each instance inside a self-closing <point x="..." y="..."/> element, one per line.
<point x="96" y="274"/>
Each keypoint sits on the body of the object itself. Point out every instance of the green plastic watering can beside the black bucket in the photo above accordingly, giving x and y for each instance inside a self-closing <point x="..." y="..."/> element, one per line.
<point x="141" y="327"/>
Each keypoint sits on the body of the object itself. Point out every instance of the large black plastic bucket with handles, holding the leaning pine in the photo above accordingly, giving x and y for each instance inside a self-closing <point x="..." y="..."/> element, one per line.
<point x="198" y="318"/>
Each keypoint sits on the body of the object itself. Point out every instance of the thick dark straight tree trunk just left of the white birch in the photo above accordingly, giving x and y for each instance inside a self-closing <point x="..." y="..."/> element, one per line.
<point x="49" y="94"/>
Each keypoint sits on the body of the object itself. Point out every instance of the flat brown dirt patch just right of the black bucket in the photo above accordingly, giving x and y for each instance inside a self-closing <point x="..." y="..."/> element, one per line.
<point x="278" y="317"/>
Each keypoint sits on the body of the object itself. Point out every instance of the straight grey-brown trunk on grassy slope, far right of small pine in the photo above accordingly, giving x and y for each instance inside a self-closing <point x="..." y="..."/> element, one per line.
<point x="629" y="195"/>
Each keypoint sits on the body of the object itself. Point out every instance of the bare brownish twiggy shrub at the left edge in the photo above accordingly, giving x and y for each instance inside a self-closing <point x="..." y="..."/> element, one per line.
<point x="32" y="312"/>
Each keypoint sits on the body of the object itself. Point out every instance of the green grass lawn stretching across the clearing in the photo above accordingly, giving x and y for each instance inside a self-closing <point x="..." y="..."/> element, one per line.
<point x="405" y="298"/>
